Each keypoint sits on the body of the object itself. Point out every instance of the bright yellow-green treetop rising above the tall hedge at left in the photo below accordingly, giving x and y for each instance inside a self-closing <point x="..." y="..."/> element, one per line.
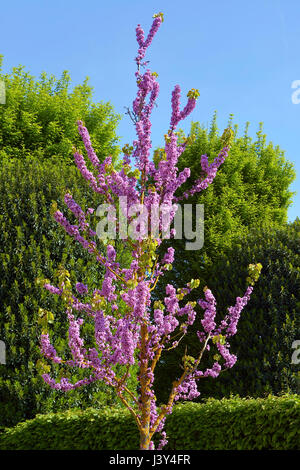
<point x="39" y="117"/>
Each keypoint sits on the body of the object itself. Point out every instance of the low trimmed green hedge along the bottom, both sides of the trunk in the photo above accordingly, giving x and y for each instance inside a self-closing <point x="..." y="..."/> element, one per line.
<point x="227" y="424"/>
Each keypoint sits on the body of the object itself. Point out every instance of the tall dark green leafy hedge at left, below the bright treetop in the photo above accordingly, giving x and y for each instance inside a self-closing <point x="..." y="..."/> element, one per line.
<point x="33" y="245"/>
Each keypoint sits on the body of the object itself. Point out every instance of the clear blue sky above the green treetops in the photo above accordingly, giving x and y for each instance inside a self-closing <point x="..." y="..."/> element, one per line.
<point x="242" y="56"/>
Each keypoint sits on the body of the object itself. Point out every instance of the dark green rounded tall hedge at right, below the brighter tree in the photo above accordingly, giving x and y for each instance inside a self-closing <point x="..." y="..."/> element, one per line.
<point x="268" y="326"/>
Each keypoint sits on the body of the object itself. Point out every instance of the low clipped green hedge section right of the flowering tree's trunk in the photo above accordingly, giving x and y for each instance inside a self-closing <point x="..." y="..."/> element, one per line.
<point x="236" y="424"/>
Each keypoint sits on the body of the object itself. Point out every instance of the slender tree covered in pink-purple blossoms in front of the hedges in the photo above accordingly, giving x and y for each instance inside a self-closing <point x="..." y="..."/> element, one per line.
<point x="128" y="325"/>
